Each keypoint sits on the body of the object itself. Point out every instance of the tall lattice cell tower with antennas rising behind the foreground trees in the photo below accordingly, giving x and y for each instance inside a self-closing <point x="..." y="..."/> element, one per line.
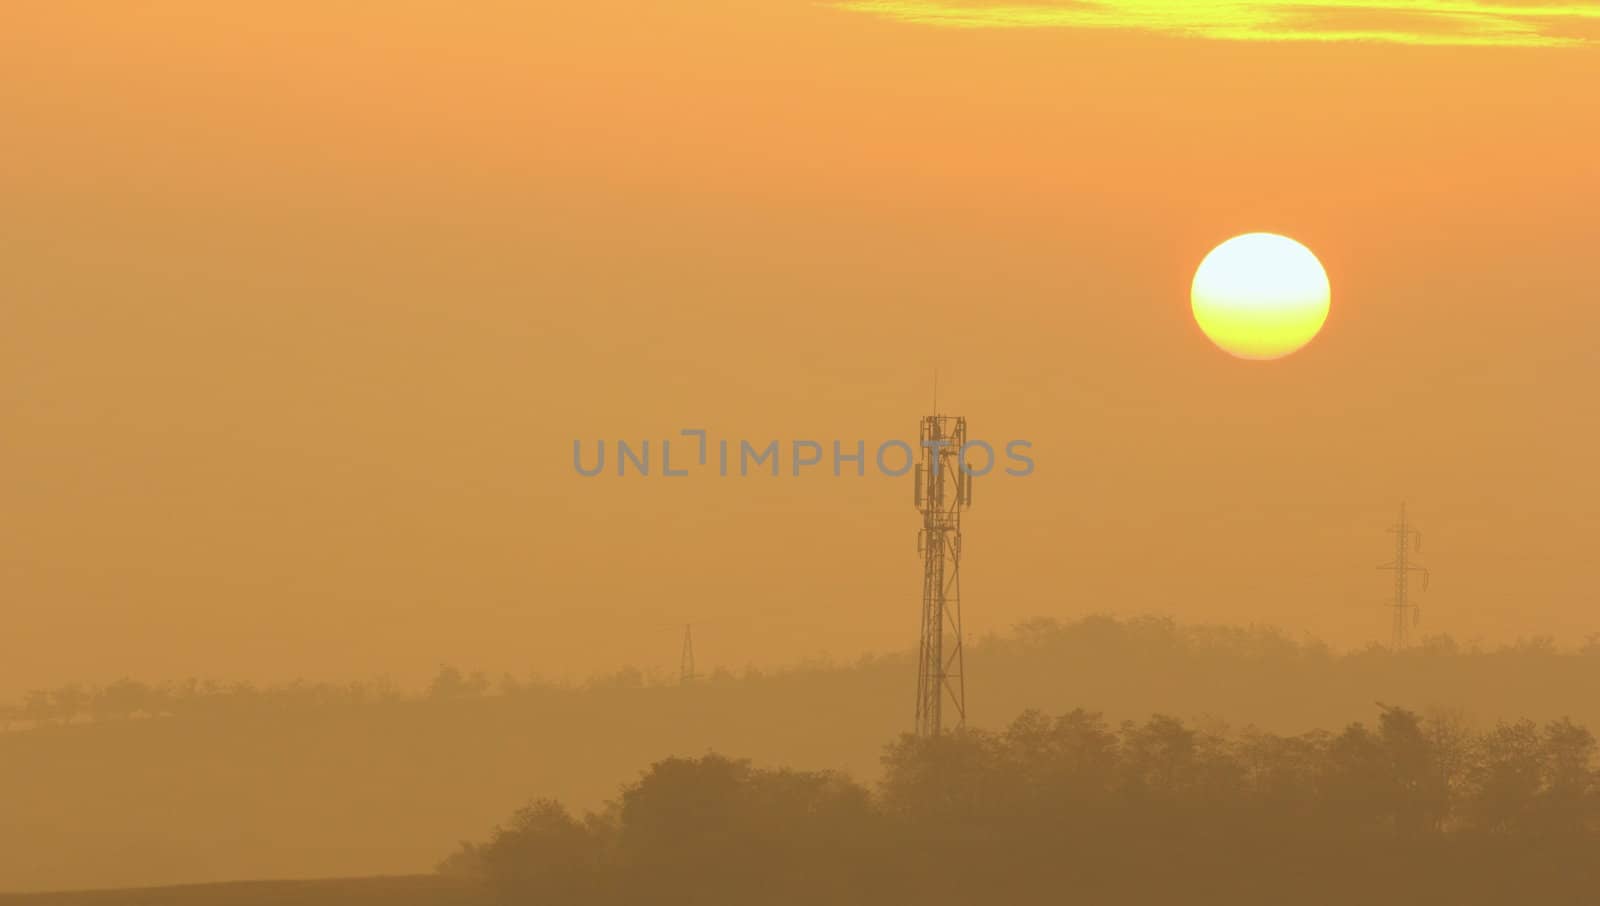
<point x="943" y="492"/>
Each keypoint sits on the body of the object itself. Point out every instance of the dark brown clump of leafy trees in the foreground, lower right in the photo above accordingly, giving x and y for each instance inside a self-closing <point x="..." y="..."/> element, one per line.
<point x="1409" y="809"/>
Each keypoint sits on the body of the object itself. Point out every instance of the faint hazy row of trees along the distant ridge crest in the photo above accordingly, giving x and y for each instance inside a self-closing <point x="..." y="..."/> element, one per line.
<point x="1087" y="639"/>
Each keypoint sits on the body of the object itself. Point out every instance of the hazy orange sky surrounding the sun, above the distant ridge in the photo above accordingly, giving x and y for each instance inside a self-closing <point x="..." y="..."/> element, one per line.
<point x="303" y="310"/>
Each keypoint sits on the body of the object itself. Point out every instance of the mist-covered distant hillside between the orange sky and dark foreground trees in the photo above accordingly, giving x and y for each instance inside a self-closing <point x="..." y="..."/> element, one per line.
<point x="188" y="782"/>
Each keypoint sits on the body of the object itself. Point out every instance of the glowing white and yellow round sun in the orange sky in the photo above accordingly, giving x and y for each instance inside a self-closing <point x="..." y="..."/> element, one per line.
<point x="1260" y="295"/>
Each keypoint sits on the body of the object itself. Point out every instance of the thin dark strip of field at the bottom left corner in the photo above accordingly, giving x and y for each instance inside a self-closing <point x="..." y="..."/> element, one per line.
<point x="410" y="891"/>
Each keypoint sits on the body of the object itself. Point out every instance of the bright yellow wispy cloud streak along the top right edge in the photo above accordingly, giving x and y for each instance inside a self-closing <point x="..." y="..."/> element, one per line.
<point x="1526" y="23"/>
